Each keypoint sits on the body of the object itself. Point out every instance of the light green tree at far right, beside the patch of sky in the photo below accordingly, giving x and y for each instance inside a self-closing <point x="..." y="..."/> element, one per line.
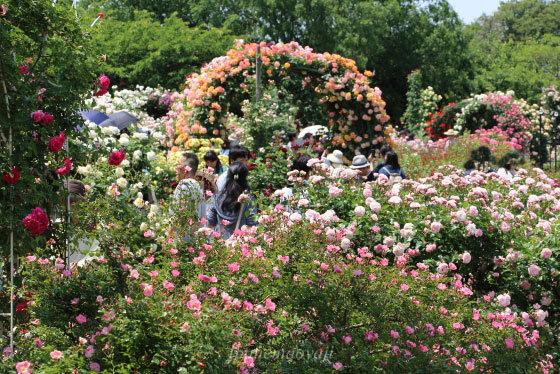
<point x="517" y="48"/>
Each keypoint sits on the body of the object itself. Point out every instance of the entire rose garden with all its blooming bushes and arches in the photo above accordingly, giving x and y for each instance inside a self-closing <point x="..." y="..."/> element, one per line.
<point x="442" y="272"/>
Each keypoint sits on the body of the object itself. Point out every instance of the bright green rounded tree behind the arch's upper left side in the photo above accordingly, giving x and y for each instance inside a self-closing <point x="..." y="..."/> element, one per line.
<point x="145" y="51"/>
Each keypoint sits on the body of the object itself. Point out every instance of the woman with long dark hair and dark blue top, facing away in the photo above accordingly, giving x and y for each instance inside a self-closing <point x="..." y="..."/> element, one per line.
<point x="226" y="206"/>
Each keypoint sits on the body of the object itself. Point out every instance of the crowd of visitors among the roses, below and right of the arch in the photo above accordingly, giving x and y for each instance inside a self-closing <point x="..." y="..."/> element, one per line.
<point x="225" y="201"/>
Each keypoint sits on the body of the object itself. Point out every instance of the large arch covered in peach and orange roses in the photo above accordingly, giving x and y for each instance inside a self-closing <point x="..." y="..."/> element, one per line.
<point x="328" y="84"/>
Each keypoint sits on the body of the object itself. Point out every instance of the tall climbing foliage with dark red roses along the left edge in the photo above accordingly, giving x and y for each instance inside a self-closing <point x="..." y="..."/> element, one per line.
<point x="60" y="60"/>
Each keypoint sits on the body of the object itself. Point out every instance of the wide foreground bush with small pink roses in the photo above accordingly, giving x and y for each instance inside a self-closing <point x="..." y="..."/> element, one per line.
<point x="263" y="301"/>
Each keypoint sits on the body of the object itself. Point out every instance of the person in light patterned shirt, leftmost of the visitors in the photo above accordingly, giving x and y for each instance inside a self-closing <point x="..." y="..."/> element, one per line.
<point x="188" y="189"/>
